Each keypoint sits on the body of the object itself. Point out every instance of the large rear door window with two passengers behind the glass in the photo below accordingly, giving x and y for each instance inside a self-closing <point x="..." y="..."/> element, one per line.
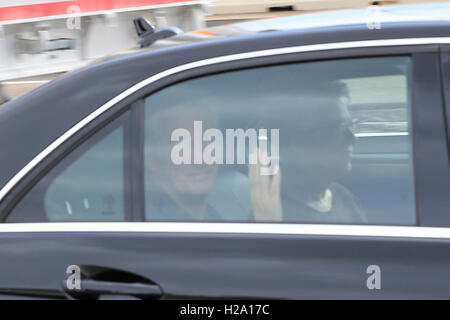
<point x="316" y="142"/>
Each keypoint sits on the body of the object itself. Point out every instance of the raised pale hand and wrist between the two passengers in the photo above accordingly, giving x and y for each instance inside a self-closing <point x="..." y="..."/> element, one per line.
<point x="265" y="193"/>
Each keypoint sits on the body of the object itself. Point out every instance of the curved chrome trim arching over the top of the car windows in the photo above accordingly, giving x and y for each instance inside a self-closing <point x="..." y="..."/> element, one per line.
<point x="201" y="63"/>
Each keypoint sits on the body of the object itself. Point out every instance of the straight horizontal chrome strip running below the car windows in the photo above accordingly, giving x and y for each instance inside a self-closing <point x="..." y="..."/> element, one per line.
<point x="231" y="228"/>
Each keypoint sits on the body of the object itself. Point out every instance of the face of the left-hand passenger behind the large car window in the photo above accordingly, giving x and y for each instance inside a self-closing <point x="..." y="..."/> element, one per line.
<point x="190" y="179"/>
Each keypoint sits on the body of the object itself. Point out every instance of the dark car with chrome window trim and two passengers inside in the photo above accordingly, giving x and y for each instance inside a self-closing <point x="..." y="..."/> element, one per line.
<point x="145" y="175"/>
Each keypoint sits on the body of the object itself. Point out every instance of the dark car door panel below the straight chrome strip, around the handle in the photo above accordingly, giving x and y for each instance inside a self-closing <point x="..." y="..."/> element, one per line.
<point x="234" y="265"/>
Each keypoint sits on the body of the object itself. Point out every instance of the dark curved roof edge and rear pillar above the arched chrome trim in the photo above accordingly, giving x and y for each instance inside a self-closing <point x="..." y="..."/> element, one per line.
<point x="31" y="122"/>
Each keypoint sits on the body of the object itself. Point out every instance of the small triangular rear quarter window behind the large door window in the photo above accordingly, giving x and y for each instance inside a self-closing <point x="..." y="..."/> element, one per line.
<point x="87" y="185"/>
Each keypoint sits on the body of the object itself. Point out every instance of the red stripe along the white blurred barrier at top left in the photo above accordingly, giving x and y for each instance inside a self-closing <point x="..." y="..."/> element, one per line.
<point x="60" y="8"/>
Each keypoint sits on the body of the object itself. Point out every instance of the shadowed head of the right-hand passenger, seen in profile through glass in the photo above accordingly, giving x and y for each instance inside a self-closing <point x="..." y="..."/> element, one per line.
<point x="320" y="146"/>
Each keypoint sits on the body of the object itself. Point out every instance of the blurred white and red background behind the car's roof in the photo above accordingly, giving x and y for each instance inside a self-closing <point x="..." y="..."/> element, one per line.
<point x="42" y="39"/>
